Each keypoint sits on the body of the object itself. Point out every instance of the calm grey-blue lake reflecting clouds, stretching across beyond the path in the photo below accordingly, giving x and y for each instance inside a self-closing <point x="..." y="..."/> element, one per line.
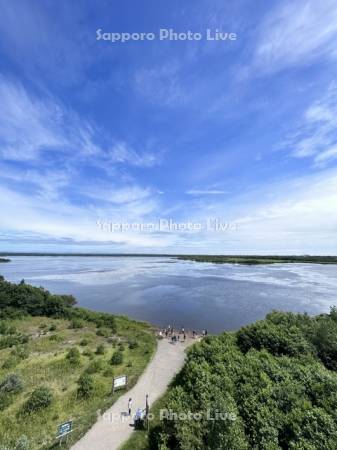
<point x="163" y="290"/>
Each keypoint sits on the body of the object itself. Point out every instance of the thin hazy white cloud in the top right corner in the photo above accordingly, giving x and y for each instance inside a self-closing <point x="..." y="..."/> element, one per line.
<point x="296" y="32"/>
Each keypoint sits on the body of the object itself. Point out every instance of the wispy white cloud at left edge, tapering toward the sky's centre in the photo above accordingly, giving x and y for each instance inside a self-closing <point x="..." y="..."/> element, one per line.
<point x="31" y="126"/>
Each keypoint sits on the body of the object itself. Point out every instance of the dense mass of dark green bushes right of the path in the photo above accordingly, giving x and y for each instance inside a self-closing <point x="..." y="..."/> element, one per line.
<point x="272" y="378"/>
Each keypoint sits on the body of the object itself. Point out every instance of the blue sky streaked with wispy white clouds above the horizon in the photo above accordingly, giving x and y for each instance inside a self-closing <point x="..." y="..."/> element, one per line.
<point x="243" y="131"/>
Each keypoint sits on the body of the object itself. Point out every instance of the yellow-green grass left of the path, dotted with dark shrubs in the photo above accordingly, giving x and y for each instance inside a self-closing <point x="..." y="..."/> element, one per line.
<point x="45" y="364"/>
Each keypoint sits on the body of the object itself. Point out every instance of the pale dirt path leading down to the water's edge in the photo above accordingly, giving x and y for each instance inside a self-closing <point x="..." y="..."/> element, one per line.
<point x="115" y="427"/>
